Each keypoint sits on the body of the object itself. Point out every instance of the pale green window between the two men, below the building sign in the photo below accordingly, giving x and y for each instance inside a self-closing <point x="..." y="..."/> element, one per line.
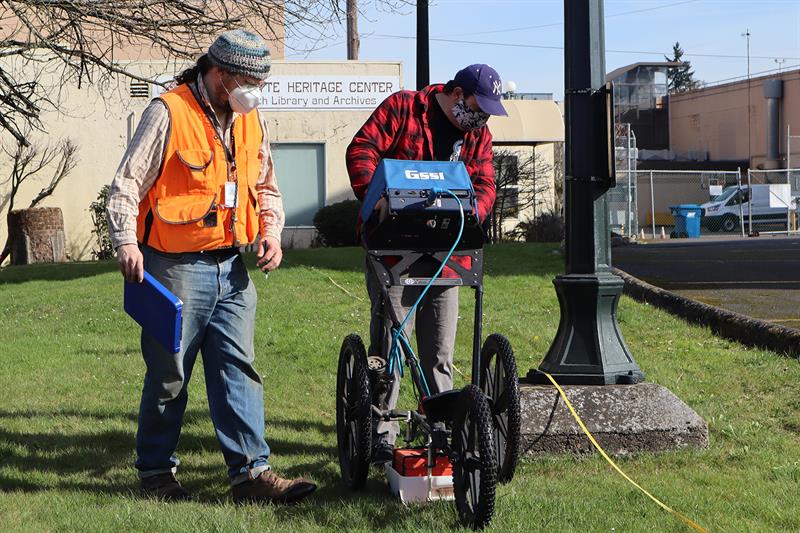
<point x="300" y="168"/>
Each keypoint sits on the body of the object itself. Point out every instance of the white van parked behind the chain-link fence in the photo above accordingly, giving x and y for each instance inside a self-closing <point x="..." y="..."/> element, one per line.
<point x="768" y="204"/>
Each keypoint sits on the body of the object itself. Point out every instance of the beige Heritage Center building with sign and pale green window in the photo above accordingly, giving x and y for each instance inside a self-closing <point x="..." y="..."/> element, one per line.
<point x="313" y="110"/>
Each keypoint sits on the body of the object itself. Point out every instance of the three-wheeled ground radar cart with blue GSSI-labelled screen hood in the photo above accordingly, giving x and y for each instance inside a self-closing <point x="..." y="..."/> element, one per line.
<point x="425" y="211"/>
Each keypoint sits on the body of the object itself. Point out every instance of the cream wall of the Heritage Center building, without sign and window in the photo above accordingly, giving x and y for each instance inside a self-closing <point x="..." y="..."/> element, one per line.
<point x="102" y="120"/>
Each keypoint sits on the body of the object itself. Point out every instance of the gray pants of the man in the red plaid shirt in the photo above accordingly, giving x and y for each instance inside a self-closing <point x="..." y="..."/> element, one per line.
<point x="436" y="320"/>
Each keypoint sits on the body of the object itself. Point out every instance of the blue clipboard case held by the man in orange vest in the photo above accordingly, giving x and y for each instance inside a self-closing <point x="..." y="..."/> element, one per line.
<point x="156" y="309"/>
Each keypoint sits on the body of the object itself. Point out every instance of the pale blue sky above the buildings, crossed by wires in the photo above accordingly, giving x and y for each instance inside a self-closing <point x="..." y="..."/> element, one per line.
<point x="523" y="39"/>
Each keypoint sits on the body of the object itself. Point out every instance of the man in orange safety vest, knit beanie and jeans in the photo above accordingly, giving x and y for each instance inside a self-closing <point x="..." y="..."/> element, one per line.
<point x="195" y="184"/>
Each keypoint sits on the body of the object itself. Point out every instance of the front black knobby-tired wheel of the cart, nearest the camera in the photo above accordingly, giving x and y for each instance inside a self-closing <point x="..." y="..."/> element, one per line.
<point x="472" y="455"/>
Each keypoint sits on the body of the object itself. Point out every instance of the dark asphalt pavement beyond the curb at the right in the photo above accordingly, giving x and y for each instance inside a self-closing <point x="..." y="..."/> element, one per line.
<point x="758" y="277"/>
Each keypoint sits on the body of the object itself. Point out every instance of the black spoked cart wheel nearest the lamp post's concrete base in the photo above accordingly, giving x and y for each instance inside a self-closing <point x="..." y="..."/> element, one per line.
<point x="500" y="383"/>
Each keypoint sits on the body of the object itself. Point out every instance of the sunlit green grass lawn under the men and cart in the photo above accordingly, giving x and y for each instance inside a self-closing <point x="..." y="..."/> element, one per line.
<point x="71" y="372"/>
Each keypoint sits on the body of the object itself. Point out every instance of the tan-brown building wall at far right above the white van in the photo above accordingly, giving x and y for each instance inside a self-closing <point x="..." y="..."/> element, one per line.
<point x="714" y="120"/>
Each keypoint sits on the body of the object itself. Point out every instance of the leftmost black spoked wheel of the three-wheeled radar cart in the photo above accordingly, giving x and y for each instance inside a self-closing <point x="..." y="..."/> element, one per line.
<point x="353" y="413"/>
